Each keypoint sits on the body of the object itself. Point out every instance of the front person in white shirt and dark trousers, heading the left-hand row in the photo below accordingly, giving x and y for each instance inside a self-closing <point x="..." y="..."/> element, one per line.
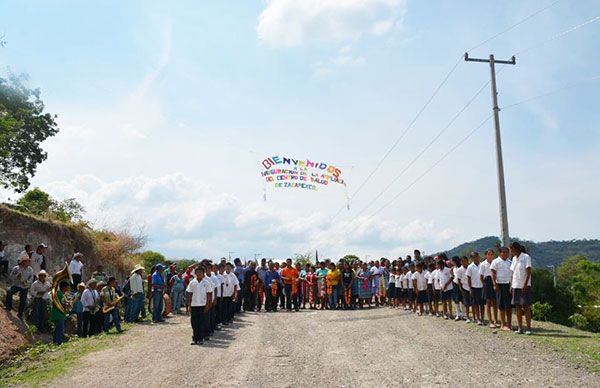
<point x="199" y="291"/>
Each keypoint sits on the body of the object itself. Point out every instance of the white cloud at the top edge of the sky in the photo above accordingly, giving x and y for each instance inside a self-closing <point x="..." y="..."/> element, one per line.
<point x="288" y="23"/>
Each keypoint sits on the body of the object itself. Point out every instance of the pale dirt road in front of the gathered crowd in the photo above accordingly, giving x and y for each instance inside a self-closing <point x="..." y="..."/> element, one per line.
<point x="376" y="347"/>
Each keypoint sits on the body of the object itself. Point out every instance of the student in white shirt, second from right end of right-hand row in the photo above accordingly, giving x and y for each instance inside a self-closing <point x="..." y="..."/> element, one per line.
<point x="501" y="277"/>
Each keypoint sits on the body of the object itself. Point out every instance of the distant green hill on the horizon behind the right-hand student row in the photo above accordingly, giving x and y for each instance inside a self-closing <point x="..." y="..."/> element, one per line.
<point x="542" y="253"/>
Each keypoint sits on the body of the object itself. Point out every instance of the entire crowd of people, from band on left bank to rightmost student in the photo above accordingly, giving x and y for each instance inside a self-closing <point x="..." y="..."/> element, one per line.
<point x="483" y="290"/>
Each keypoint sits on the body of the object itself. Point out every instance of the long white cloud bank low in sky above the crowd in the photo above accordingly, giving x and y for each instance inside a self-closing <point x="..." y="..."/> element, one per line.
<point x="184" y="217"/>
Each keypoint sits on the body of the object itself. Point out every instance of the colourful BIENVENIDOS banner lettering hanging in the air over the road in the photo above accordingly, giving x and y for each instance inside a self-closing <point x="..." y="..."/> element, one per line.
<point x="284" y="172"/>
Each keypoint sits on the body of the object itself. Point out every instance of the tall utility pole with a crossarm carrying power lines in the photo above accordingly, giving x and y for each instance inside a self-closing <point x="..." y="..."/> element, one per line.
<point x="500" y="164"/>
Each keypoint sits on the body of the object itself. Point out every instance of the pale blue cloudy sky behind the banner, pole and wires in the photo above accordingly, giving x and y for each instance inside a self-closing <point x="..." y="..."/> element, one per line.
<point x="166" y="111"/>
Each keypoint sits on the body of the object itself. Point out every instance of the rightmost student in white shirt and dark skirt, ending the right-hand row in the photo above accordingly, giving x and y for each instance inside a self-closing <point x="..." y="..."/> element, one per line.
<point x="521" y="285"/>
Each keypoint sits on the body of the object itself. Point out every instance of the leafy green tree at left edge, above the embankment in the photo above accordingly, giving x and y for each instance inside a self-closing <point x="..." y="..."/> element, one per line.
<point x="23" y="127"/>
